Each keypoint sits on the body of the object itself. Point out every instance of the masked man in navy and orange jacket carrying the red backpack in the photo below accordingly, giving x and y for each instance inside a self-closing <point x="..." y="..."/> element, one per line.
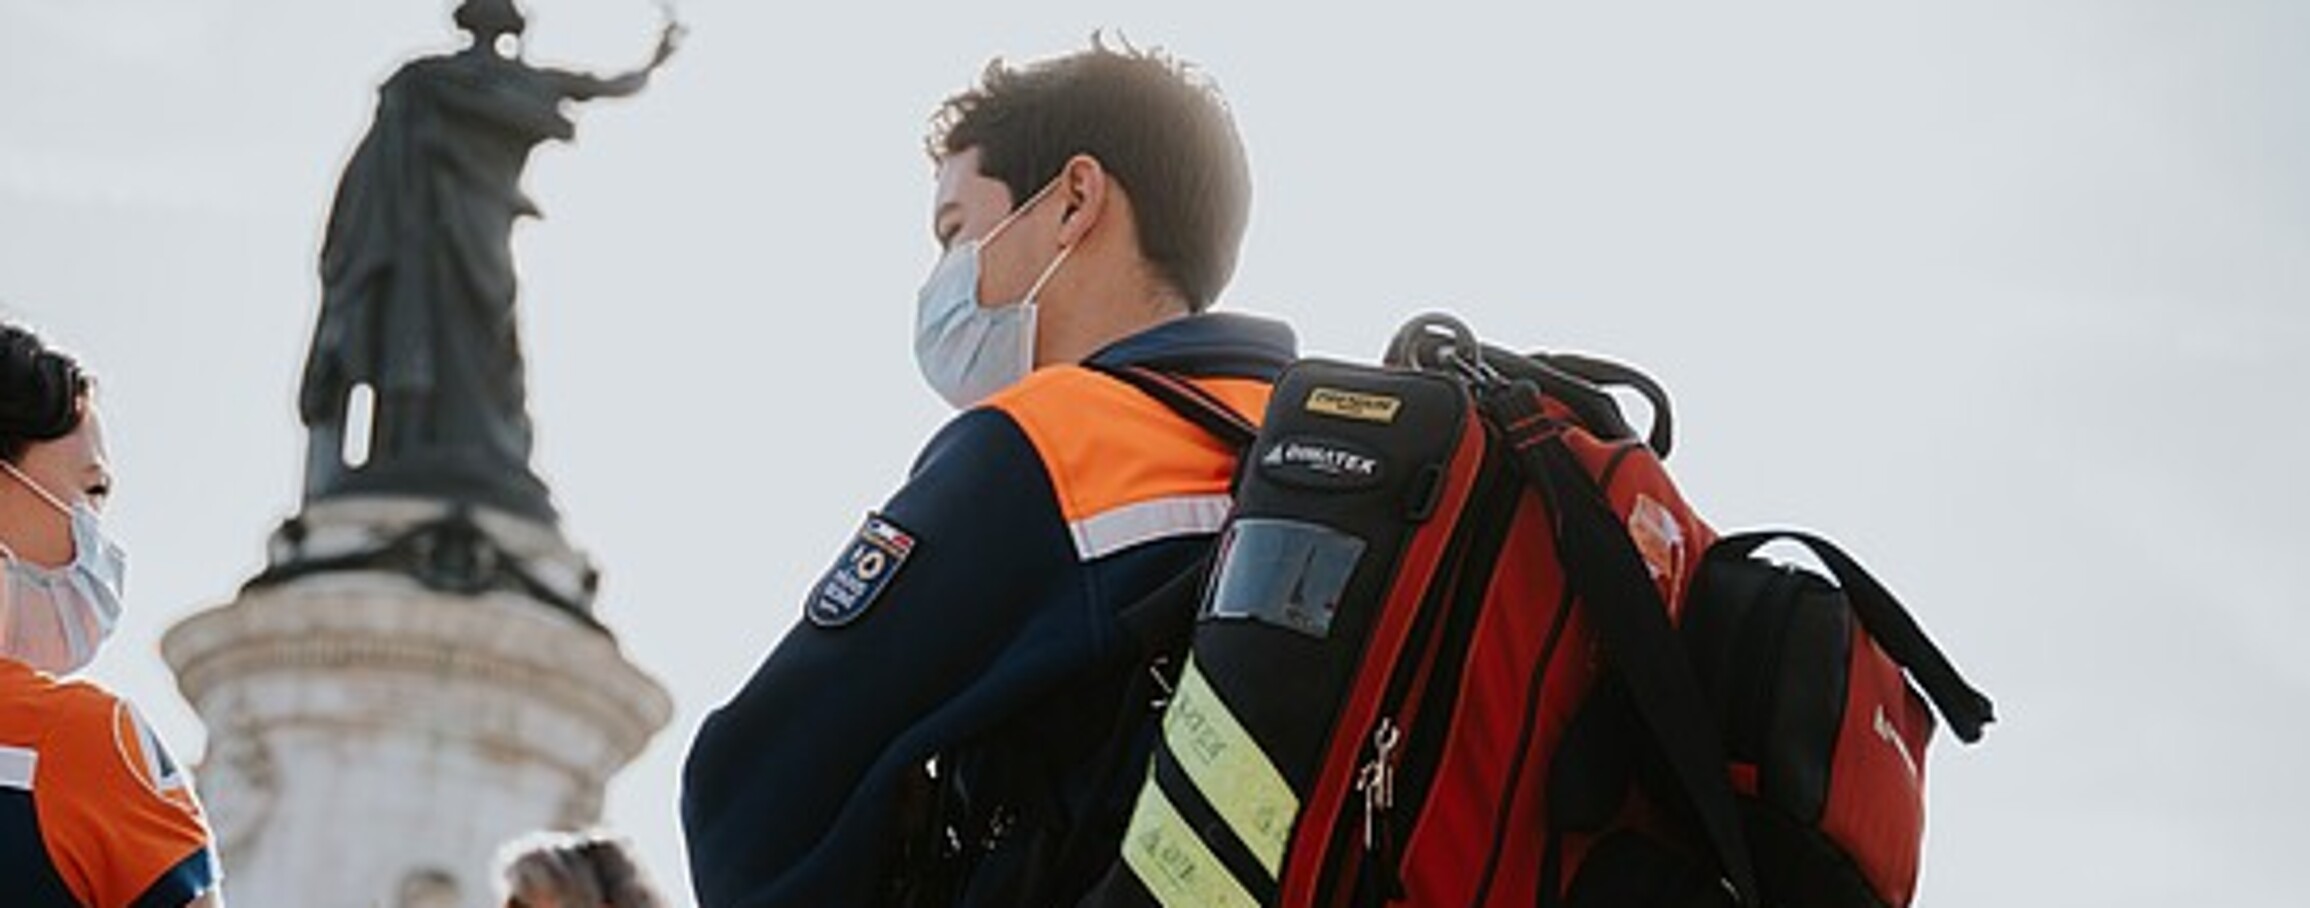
<point x="962" y="717"/>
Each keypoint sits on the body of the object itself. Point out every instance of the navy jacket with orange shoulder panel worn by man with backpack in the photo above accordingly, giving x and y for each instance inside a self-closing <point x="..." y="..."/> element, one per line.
<point x="962" y="620"/>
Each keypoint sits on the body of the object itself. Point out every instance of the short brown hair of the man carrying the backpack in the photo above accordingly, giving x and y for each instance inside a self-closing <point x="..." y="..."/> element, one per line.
<point x="1156" y="124"/>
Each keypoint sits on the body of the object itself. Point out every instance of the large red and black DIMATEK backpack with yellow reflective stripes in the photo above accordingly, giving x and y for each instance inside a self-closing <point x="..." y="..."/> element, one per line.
<point x="1463" y="643"/>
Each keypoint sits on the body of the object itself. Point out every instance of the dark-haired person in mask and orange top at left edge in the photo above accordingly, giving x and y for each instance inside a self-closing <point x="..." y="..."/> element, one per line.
<point x="94" y="810"/>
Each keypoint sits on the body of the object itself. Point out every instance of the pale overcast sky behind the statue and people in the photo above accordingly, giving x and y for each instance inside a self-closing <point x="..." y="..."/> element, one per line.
<point x="2009" y="297"/>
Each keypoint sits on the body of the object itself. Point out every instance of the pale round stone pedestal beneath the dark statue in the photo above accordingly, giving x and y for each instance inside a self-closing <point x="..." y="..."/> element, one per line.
<point x="373" y="736"/>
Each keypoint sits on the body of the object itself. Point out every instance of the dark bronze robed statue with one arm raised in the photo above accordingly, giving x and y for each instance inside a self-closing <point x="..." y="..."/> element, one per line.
<point x="417" y="274"/>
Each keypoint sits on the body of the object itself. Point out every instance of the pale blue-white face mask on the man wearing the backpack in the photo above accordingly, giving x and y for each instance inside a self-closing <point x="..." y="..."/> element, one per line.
<point x="967" y="350"/>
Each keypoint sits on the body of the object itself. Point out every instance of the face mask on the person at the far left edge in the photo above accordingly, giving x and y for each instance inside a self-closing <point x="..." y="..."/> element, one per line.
<point x="57" y="618"/>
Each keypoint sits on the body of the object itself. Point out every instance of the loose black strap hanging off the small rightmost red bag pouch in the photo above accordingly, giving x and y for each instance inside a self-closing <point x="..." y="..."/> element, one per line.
<point x="1893" y="630"/>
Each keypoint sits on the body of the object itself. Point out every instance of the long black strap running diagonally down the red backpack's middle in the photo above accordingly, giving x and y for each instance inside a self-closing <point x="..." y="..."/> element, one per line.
<point x="1632" y="620"/>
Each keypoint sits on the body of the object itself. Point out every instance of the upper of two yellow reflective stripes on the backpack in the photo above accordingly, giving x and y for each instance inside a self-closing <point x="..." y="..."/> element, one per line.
<point x="1228" y="766"/>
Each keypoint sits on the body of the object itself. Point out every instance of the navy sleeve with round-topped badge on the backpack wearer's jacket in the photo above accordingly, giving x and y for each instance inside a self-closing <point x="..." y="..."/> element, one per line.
<point x="791" y="791"/>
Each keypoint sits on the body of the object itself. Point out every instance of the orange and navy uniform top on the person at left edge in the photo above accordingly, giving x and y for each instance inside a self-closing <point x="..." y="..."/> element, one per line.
<point x="94" y="812"/>
